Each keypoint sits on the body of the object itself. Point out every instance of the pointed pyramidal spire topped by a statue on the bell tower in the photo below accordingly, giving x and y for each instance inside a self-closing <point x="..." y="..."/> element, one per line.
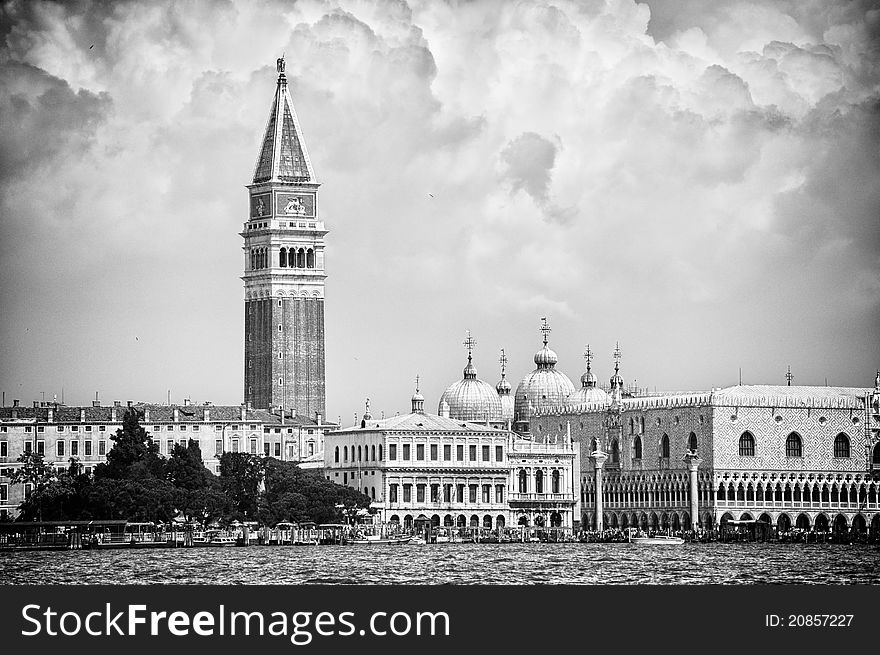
<point x="283" y="155"/>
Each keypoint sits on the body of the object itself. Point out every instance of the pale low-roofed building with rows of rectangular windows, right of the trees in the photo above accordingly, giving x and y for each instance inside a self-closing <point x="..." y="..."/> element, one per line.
<point x="422" y="469"/>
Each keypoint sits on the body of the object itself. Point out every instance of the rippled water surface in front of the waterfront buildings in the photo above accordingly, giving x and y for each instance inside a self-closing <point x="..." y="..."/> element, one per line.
<point x="454" y="564"/>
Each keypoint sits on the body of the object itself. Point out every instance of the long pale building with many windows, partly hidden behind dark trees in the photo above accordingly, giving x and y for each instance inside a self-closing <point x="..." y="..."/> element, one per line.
<point x="60" y="432"/>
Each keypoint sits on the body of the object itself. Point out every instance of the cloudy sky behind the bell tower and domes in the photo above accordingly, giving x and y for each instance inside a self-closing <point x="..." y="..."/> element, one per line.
<point x="699" y="181"/>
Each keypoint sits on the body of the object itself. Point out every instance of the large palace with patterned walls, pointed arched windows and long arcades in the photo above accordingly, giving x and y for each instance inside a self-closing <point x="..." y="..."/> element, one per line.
<point x="786" y="456"/>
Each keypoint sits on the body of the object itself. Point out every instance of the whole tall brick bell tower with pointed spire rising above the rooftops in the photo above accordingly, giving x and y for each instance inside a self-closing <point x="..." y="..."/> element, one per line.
<point x="284" y="271"/>
